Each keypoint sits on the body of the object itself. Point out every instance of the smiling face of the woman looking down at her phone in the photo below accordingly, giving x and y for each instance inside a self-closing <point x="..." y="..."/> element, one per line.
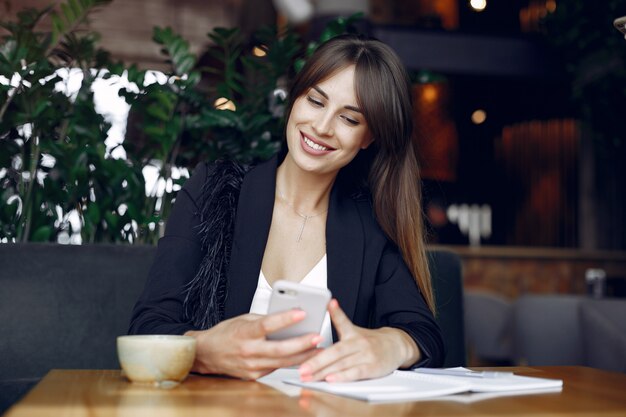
<point x="326" y="129"/>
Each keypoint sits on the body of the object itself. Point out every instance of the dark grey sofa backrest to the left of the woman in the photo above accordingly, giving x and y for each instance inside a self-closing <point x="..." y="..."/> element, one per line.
<point x="63" y="306"/>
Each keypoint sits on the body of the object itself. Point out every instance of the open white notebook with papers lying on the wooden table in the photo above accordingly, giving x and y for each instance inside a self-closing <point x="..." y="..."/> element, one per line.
<point x="409" y="385"/>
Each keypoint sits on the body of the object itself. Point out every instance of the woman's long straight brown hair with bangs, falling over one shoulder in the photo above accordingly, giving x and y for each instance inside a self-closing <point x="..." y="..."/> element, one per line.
<point x="383" y="92"/>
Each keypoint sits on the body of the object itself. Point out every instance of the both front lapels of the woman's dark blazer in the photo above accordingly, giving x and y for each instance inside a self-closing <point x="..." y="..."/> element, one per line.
<point x="344" y="243"/>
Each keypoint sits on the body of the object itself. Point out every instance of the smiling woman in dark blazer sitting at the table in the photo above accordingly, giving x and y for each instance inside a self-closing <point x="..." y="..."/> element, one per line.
<point x="307" y="215"/>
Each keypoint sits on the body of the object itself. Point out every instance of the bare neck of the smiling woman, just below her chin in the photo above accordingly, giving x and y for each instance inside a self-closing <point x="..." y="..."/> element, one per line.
<point x="305" y="192"/>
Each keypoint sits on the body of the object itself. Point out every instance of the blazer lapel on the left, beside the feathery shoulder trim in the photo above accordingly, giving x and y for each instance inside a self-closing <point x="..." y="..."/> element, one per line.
<point x="252" y="226"/>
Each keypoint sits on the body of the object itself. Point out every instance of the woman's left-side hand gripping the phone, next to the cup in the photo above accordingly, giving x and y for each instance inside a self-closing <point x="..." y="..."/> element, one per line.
<point x="238" y="346"/>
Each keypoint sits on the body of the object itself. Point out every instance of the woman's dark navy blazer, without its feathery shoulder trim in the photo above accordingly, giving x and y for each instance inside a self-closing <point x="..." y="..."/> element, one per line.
<point x="366" y="273"/>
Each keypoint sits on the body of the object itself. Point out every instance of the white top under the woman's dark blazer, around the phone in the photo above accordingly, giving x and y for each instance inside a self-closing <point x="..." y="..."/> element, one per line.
<point x="317" y="277"/>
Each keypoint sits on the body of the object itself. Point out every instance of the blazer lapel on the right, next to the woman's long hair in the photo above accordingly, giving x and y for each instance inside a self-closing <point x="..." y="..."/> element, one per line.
<point x="344" y="246"/>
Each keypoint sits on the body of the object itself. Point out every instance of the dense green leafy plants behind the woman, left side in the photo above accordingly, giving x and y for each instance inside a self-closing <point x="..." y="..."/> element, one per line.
<point x="52" y="145"/>
